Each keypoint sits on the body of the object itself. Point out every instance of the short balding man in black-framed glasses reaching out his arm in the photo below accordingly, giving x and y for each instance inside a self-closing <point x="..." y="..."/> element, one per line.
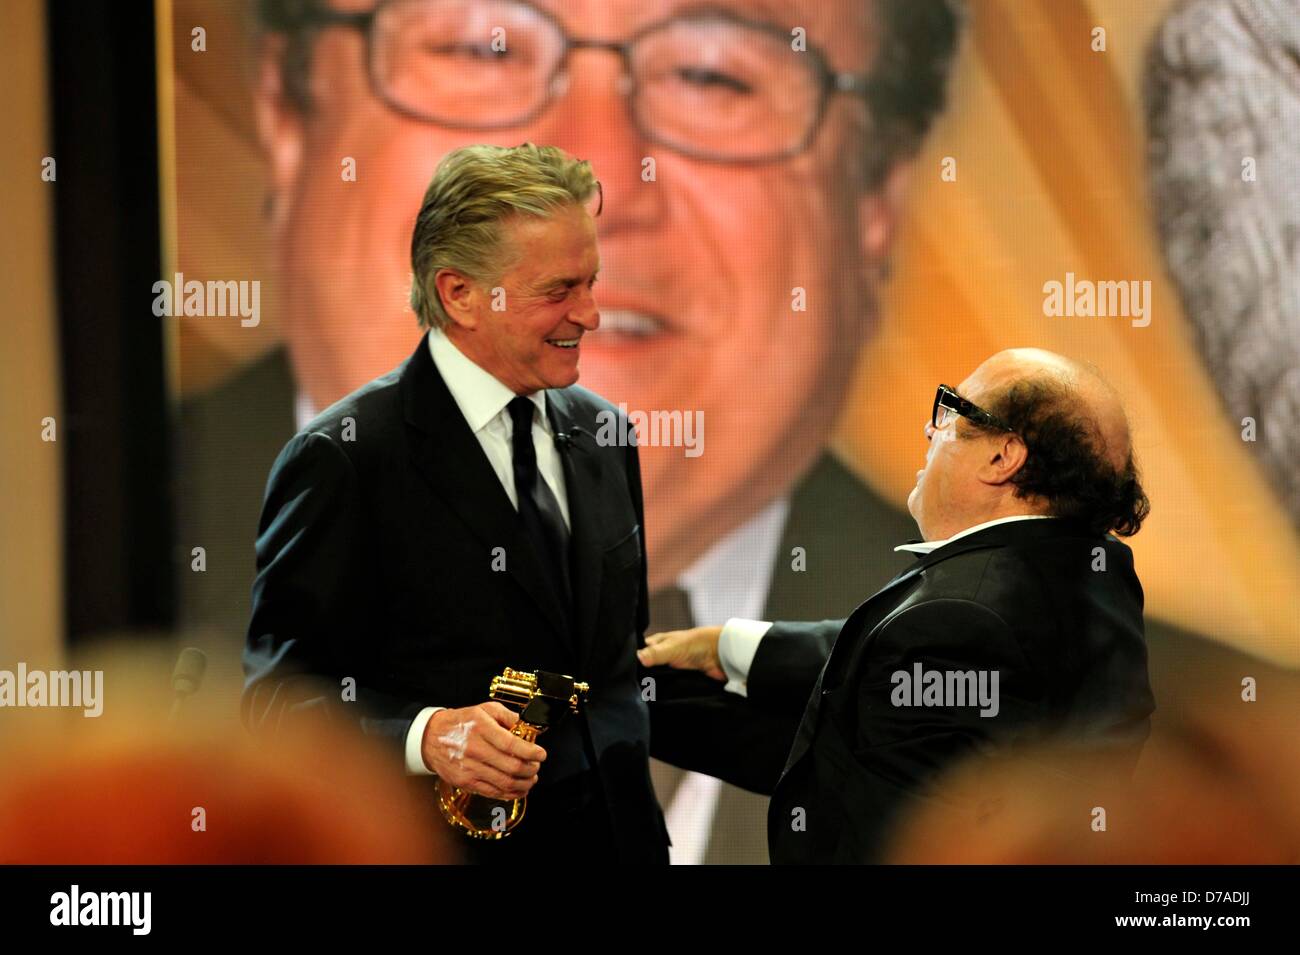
<point x="1022" y="619"/>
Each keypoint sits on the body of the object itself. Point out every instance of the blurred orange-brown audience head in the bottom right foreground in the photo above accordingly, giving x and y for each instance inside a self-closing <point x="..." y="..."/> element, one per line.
<point x="1217" y="785"/>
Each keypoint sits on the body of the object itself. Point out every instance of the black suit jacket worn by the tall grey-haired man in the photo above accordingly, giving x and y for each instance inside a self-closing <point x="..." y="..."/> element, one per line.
<point x="379" y="559"/>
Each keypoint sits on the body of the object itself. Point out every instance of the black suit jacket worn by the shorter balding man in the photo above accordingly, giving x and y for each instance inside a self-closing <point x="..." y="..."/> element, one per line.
<point x="1022" y="600"/>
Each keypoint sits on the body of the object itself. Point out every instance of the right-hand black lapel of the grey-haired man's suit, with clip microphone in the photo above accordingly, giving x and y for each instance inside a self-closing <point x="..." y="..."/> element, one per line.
<point x="583" y="484"/>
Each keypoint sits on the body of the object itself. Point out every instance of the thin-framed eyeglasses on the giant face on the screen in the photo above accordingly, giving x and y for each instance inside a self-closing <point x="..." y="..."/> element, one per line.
<point x="707" y="84"/>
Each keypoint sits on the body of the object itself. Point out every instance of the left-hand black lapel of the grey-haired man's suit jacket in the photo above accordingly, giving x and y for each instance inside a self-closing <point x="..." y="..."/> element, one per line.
<point x="450" y="458"/>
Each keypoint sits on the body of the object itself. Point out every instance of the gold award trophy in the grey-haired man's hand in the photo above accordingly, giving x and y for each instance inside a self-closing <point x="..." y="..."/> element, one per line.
<point x="543" y="700"/>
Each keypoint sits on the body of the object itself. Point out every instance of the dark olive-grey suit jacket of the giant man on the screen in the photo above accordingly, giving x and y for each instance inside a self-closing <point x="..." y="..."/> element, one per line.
<point x="231" y="436"/>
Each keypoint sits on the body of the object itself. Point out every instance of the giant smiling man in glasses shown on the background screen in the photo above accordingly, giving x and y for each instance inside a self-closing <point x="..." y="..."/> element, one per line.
<point x="335" y="297"/>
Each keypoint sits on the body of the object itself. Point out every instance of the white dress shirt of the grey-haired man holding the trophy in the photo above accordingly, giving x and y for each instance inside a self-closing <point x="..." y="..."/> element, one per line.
<point x="483" y="400"/>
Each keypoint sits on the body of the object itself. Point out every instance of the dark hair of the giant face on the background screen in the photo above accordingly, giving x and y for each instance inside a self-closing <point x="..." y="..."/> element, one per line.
<point x="908" y="85"/>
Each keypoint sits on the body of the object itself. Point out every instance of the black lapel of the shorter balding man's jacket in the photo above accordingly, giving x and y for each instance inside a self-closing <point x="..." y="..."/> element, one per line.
<point x="879" y="606"/>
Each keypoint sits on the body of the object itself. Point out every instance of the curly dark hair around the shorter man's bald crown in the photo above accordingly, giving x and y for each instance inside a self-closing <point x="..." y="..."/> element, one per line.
<point x="1065" y="466"/>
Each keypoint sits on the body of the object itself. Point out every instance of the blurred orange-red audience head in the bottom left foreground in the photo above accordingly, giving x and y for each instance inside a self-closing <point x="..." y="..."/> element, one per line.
<point x="133" y="788"/>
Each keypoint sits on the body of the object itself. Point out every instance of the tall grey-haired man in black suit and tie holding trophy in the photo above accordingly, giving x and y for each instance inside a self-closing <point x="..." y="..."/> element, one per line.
<point x="458" y="516"/>
